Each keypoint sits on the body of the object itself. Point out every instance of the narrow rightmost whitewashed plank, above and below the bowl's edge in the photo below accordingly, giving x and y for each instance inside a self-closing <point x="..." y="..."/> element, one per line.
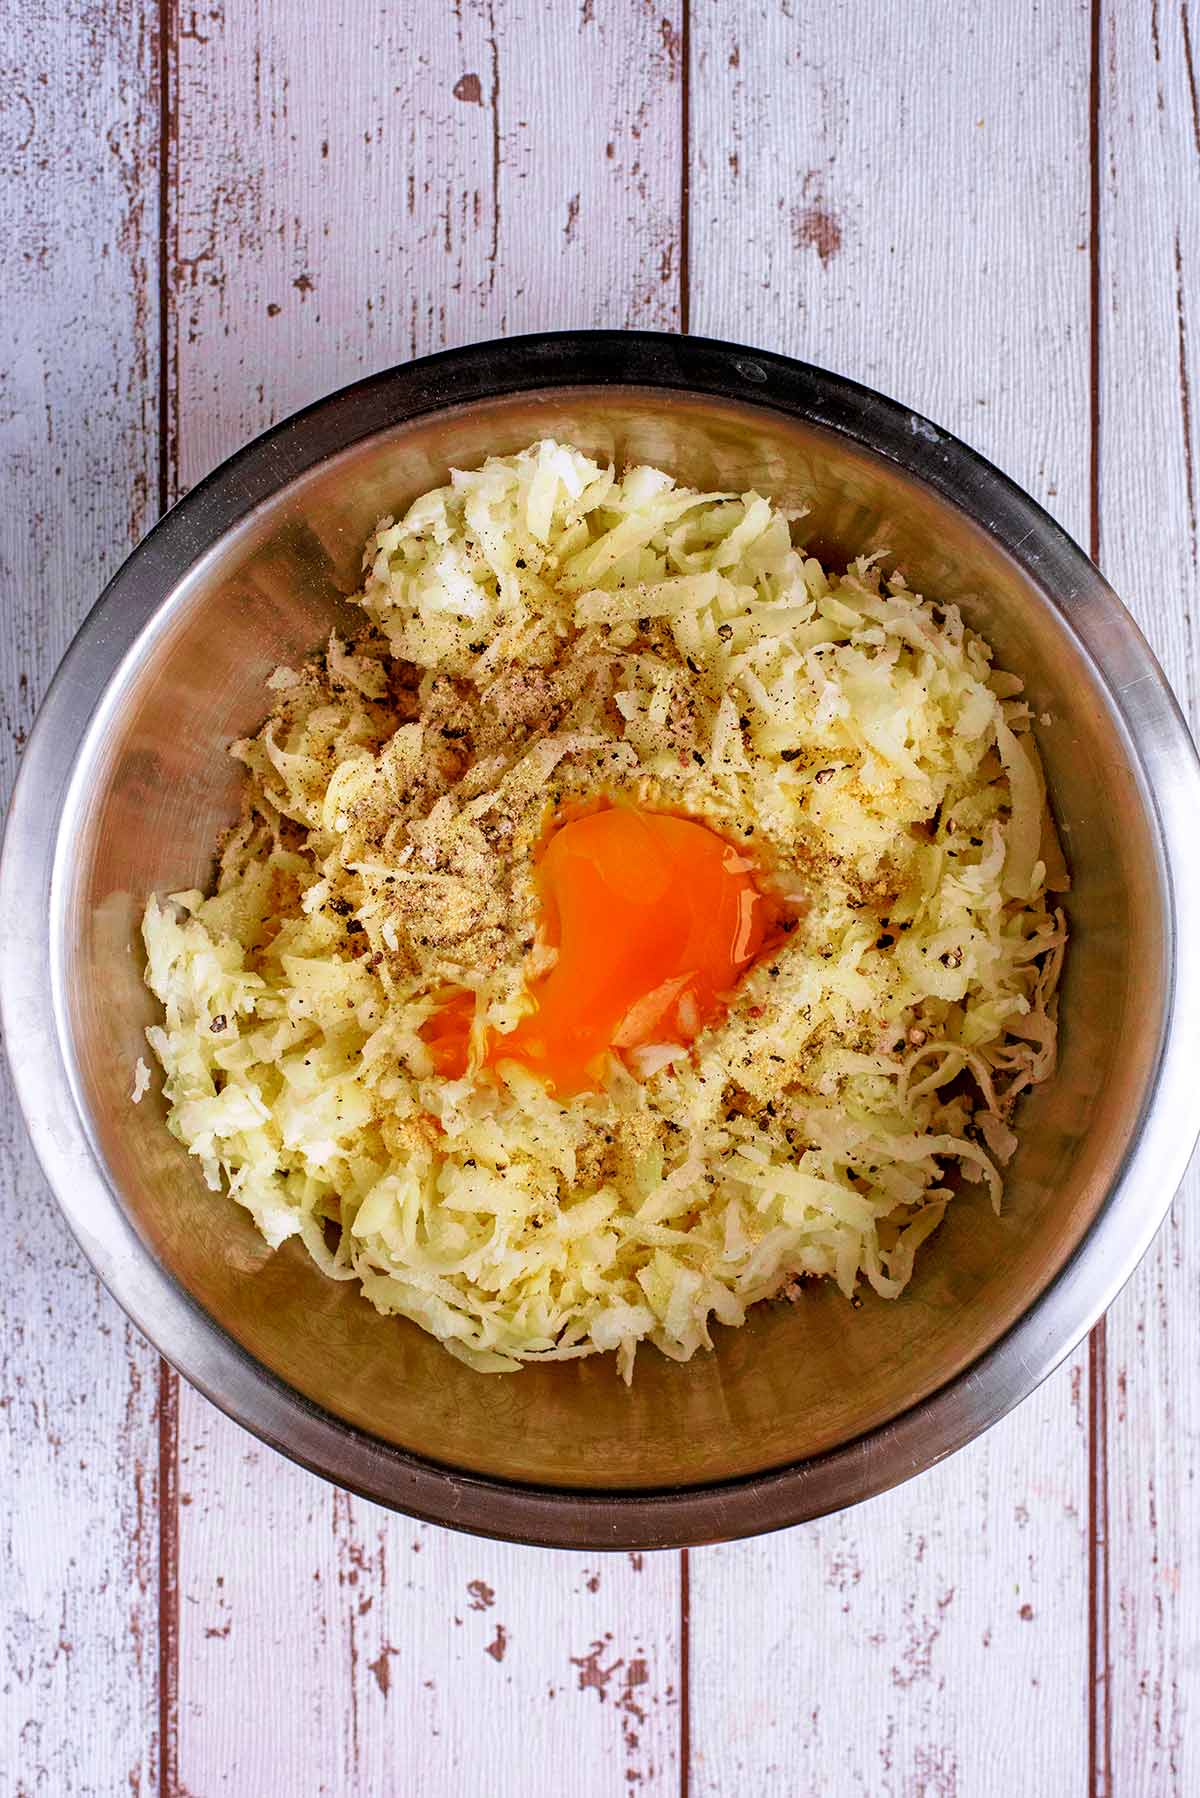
<point x="1151" y="499"/>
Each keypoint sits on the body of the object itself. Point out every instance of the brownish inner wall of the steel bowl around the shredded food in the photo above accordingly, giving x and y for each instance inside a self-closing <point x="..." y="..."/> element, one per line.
<point x="156" y="787"/>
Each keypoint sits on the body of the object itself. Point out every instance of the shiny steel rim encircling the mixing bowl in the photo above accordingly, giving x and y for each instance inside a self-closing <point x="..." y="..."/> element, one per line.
<point x="199" y="1348"/>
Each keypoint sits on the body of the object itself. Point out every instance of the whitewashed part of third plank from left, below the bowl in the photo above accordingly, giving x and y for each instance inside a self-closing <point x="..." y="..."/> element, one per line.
<point x="888" y="1651"/>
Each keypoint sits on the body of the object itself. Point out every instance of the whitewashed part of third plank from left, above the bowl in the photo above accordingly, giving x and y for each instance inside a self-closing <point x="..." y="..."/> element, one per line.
<point x="902" y="195"/>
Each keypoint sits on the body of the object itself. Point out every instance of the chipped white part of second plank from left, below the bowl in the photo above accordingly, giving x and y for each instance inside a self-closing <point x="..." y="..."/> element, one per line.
<point x="332" y="1648"/>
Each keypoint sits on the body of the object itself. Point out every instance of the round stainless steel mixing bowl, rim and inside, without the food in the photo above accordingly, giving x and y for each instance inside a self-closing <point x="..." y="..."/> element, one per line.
<point x="807" y="1409"/>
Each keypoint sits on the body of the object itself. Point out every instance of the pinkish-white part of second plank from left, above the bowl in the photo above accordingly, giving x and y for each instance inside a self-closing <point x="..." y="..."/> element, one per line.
<point x="363" y="186"/>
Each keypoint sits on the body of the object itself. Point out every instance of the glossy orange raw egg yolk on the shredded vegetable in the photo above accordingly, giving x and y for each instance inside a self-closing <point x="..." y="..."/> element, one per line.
<point x="654" y="920"/>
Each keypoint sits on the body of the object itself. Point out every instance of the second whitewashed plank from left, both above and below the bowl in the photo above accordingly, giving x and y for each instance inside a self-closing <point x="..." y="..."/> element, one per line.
<point x="496" y="170"/>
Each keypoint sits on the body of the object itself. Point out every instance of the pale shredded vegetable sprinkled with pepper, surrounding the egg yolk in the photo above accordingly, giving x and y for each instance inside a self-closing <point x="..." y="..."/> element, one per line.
<point x="541" y="632"/>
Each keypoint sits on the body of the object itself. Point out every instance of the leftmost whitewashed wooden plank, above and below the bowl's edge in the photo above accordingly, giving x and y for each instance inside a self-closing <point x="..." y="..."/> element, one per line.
<point x="78" y="470"/>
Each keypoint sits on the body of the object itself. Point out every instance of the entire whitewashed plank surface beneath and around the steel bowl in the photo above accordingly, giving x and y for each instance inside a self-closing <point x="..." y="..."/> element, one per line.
<point x="895" y="191"/>
